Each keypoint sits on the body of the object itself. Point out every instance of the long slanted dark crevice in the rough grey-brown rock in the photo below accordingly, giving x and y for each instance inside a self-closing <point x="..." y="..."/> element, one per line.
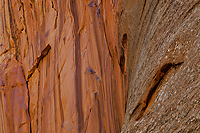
<point x="147" y="98"/>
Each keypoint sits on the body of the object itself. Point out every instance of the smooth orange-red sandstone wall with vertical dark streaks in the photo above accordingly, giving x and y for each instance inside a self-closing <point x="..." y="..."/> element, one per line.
<point x="60" y="66"/>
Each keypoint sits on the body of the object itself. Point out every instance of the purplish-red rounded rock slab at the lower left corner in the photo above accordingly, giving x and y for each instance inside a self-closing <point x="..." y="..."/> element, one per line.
<point x="14" y="98"/>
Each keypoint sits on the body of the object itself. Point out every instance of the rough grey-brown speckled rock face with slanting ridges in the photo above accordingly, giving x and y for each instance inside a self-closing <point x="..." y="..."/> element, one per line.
<point x="162" y="33"/>
